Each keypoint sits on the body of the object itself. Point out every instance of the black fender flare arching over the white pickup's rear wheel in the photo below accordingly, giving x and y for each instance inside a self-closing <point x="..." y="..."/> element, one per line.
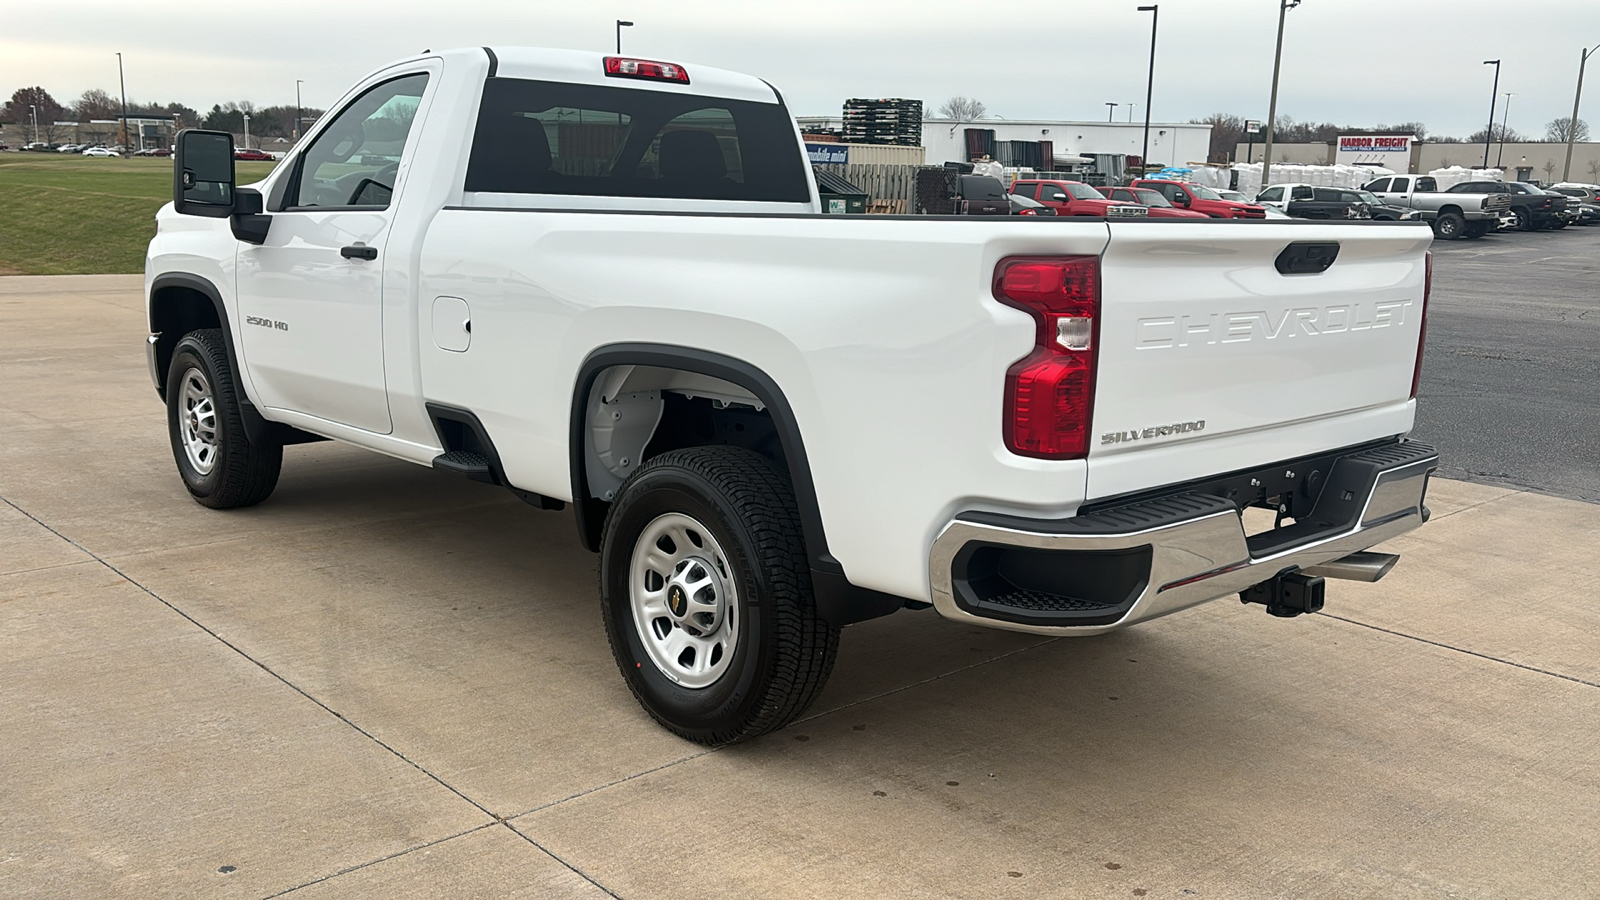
<point x="838" y="600"/>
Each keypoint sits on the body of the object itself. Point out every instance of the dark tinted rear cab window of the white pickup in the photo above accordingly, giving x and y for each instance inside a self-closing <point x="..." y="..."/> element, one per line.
<point x="601" y="142"/>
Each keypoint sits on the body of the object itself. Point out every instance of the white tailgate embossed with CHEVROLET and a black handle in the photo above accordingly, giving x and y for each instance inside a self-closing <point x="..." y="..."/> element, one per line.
<point x="1212" y="361"/>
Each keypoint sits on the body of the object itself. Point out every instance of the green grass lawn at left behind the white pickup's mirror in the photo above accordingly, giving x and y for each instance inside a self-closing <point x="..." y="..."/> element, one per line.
<point x="70" y="215"/>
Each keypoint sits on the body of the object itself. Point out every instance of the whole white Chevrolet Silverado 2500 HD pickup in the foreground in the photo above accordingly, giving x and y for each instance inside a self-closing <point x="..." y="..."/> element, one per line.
<point x="606" y="283"/>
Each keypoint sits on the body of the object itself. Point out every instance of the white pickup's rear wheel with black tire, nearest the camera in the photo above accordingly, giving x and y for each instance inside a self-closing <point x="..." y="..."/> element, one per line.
<point x="783" y="651"/>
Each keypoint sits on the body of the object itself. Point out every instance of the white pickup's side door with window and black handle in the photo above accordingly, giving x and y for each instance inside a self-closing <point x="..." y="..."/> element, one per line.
<point x="313" y="294"/>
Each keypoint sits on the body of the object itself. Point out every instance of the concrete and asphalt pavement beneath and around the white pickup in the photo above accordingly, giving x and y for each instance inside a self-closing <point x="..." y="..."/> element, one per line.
<point x="386" y="681"/>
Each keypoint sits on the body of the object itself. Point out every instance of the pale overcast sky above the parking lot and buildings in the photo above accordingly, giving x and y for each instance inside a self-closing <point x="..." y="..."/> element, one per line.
<point x="1346" y="62"/>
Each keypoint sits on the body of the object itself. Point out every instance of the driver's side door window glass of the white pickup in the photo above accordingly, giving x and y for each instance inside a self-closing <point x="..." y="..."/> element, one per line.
<point x="354" y="161"/>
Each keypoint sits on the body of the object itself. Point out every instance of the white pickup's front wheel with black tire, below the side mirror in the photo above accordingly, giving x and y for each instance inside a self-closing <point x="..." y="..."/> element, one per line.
<point x="228" y="472"/>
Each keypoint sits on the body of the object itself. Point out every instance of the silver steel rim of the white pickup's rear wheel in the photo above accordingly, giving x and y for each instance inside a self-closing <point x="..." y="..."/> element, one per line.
<point x="684" y="600"/>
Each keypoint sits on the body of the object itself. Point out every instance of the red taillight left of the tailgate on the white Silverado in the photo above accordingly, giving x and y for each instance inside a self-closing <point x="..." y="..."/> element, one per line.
<point x="1050" y="395"/>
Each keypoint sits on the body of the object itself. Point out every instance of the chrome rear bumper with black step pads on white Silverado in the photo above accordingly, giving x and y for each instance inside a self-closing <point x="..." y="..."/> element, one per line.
<point x="1175" y="552"/>
